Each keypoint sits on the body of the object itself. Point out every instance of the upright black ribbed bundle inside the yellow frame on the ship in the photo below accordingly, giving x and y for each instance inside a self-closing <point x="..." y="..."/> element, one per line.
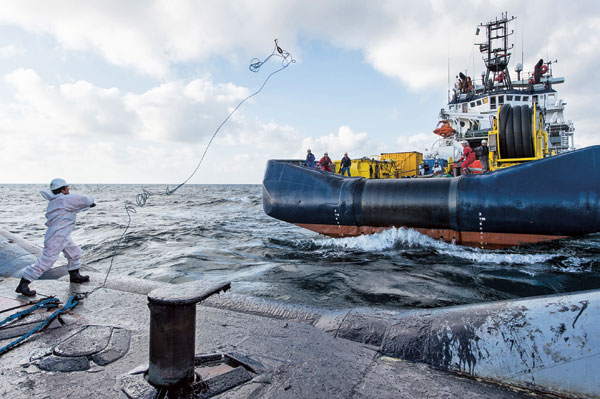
<point x="516" y="137"/>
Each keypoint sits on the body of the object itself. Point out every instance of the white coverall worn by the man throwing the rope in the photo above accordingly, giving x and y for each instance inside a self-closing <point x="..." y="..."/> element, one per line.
<point x="60" y="220"/>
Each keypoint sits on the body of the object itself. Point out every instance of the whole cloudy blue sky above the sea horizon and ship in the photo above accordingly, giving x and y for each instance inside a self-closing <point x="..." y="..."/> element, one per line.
<point x="131" y="92"/>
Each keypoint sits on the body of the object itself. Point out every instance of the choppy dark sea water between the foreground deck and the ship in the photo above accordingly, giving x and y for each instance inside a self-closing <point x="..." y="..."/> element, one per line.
<point x="217" y="232"/>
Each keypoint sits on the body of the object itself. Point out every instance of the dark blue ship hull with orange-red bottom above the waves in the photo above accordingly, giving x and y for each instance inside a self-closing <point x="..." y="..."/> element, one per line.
<point x="542" y="200"/>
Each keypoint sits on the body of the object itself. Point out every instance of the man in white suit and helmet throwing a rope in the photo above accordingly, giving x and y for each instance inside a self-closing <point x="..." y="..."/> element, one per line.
<point x="60" y="220"/>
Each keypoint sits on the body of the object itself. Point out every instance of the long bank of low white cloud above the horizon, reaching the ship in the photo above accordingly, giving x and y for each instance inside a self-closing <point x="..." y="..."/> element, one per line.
<point x="100" y="134"/>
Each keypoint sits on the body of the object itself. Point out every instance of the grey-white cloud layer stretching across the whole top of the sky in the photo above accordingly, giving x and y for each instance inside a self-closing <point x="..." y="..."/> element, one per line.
<point x="413" y="42"/>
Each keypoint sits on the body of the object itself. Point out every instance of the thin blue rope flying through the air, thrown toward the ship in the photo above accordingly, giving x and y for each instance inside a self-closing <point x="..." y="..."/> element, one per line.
<point x="142" y="198"/>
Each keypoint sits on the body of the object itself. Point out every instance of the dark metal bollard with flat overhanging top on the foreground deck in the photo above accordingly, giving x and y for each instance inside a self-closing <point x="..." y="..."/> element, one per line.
<point x="173" y="331"/>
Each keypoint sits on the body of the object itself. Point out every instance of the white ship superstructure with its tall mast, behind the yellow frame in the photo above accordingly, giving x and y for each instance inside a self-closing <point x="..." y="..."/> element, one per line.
<point x="474" y="102"/>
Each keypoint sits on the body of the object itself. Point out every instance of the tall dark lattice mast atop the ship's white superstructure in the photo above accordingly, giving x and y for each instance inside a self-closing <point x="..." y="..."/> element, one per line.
<point x="496" y="51"/>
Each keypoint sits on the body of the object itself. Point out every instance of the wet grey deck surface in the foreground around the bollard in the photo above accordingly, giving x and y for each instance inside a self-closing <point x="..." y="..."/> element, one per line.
<point x="106" y="337"/>
